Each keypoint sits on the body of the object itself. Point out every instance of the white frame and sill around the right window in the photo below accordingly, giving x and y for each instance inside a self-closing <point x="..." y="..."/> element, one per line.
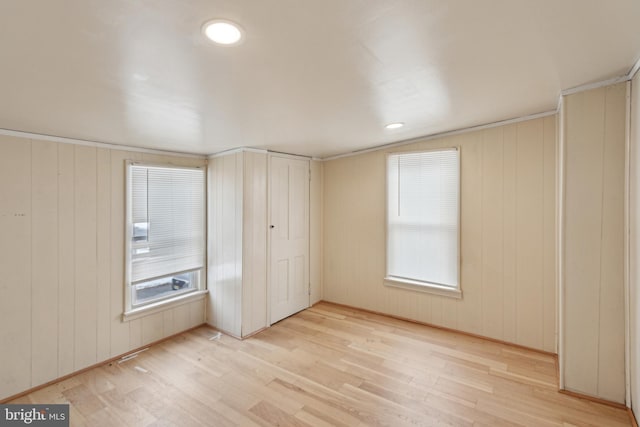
<point x="419" y="285"/>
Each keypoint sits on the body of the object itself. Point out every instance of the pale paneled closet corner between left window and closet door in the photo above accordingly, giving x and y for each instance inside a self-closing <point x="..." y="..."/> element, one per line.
<point x="238" y="243"/>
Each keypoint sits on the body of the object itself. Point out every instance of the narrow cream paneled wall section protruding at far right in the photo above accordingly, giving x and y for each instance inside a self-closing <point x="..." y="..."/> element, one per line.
<point x="594" y="124"/>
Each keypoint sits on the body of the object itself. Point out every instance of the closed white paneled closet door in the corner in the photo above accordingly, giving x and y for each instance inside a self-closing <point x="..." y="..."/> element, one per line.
<point x="289" y="236"/>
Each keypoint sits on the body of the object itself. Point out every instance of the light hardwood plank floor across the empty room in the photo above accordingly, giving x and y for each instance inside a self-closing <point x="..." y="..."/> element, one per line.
<point x="328" y="366"/>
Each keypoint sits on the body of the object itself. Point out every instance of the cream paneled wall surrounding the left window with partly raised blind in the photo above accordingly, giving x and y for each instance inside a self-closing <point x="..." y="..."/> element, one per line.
<point x="62" y="219"/>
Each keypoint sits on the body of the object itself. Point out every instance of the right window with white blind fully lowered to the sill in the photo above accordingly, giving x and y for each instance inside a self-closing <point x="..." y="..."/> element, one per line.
<point x="422" y="221"/>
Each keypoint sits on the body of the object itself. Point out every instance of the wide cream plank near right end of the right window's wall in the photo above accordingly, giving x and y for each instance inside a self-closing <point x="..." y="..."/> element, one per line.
<point x="529" y="222"/>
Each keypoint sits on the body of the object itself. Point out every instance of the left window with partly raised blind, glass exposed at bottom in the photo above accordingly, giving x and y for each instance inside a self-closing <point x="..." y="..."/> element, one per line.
<point x="165" y="234"/>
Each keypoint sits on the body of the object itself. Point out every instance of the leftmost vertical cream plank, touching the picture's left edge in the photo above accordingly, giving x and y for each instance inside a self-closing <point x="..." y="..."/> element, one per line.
<point x="15" y="268"/>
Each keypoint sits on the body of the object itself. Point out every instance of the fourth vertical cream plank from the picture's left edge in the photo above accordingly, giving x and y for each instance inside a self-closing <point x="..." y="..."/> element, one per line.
<point x="85" y="223"/>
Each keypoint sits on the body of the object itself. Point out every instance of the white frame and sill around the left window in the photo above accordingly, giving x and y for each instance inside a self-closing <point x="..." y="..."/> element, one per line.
<point x="132" y="311"/>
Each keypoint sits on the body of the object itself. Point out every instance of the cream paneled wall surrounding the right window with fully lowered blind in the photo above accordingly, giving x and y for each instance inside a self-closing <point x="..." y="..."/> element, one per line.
<point x="508" y="236"/>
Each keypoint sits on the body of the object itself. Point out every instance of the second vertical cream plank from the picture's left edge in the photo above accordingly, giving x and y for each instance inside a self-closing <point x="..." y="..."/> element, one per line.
<point x="44" y="268"/>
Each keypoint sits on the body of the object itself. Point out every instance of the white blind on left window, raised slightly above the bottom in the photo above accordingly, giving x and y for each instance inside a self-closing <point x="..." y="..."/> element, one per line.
<point x="167" y="221"/>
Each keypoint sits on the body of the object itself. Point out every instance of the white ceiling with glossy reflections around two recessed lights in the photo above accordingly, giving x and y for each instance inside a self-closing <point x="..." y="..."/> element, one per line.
<point x="313" y="77"/>
